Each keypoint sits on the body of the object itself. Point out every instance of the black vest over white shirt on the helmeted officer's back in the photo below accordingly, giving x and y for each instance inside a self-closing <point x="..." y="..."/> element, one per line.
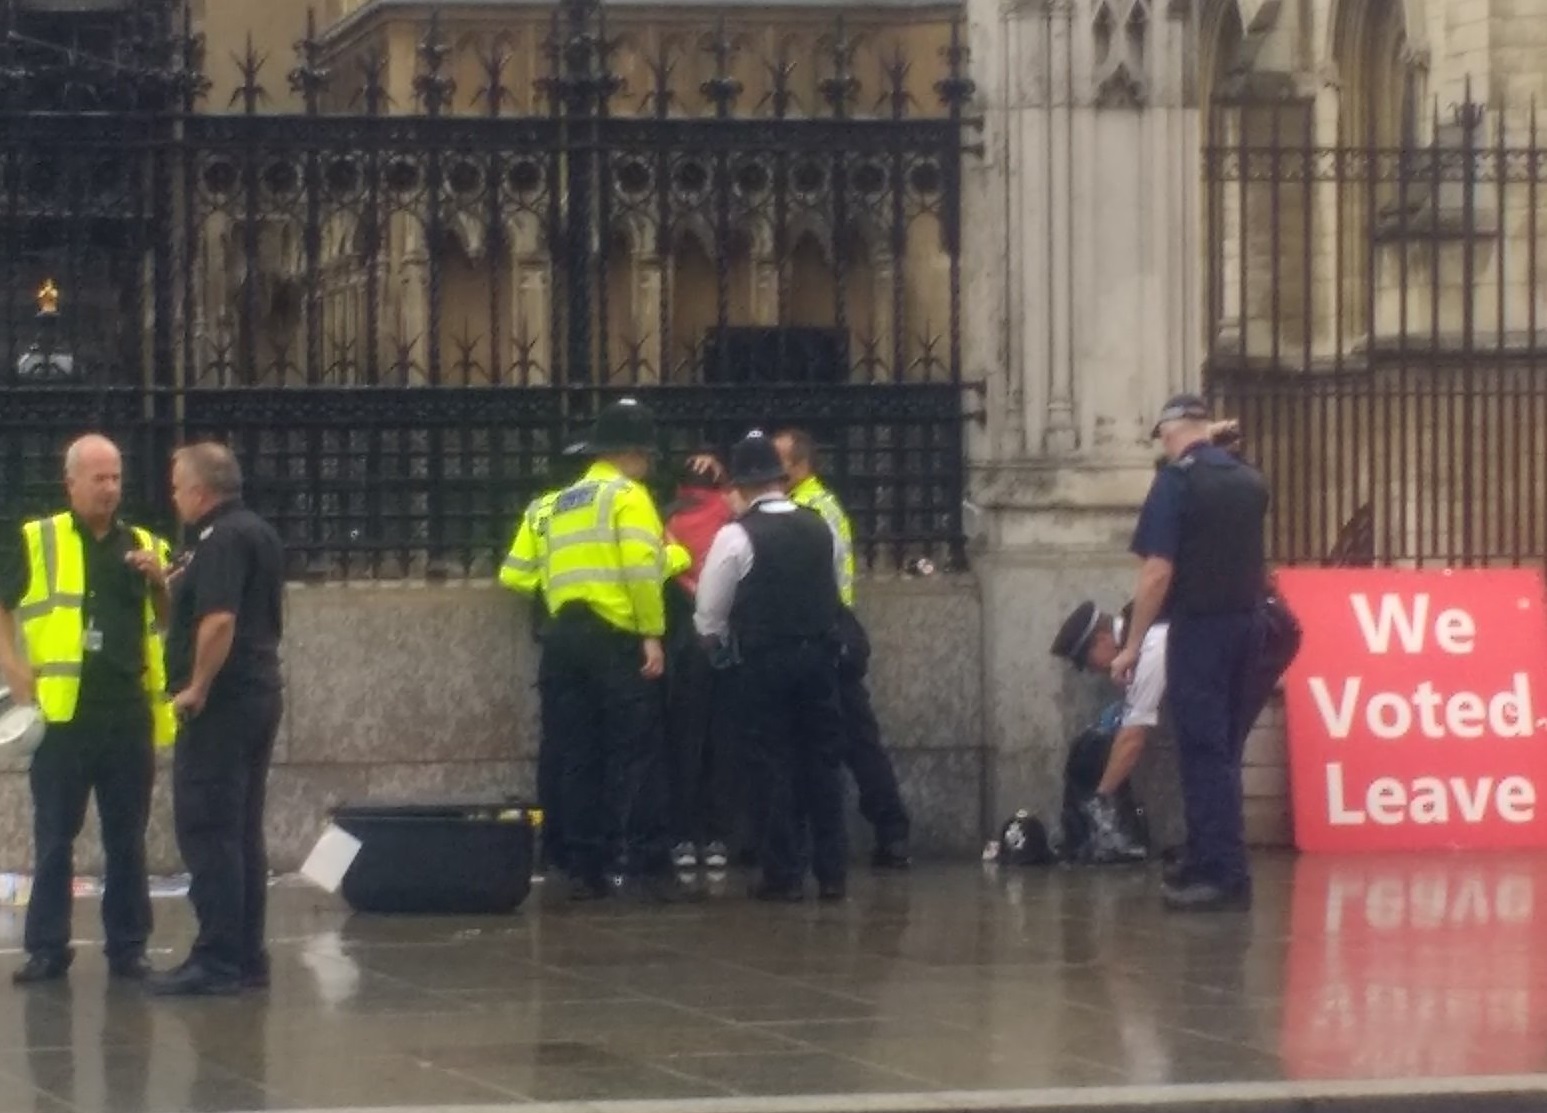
<point x="793" y="591"/>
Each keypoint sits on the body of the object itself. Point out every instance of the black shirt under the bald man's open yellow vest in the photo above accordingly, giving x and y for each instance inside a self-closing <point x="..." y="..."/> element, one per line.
<point x="112" y="677"/>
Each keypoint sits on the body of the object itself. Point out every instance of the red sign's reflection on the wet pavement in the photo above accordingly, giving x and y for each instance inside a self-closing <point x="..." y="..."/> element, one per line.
<point x="1416" y="967"/>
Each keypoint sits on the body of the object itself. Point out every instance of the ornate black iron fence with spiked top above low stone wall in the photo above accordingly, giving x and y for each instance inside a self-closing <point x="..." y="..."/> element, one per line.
<point x="398" y="320"/>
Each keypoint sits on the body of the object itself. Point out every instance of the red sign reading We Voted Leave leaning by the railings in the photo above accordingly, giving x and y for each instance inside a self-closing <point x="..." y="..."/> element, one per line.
<point x="1418" y="710"/>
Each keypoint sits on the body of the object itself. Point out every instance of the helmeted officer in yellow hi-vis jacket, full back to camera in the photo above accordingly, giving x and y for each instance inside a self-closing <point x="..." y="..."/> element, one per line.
<point x="603" y="578"/>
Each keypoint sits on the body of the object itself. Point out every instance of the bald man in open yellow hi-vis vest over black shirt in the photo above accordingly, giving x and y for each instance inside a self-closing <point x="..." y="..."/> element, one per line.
<point x="90" y="597"/>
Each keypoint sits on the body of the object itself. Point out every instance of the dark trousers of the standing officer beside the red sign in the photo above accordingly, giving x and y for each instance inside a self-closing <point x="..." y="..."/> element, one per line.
<point x="1212" y="662"/>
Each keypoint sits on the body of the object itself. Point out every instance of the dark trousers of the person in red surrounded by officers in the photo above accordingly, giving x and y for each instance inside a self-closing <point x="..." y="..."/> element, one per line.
<point x="705" y="783"/>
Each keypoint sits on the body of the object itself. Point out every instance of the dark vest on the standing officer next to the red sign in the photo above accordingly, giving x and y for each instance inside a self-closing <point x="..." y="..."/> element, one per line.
<point x="1220" y="566"/>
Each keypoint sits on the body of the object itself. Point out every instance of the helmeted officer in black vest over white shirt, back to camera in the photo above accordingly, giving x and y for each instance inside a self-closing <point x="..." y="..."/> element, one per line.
<point x="770" y="595"/>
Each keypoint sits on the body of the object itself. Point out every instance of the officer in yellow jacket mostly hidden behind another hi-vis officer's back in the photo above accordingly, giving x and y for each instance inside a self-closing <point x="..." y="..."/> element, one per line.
<point x="522" y="572"/>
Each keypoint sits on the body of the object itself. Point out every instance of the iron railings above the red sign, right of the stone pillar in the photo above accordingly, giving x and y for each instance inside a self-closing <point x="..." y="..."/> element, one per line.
<point x="1379" y="321"/>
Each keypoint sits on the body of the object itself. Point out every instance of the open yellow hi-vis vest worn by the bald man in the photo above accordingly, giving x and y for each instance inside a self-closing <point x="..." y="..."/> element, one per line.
<point x="55" y="631"/>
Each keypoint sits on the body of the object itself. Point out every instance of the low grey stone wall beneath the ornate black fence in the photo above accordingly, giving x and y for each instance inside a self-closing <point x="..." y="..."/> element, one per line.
<point x="398" y="693"/>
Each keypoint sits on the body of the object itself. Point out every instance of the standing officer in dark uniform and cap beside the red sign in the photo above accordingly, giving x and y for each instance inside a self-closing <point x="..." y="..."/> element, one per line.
<point x="1200" y="538"/>
